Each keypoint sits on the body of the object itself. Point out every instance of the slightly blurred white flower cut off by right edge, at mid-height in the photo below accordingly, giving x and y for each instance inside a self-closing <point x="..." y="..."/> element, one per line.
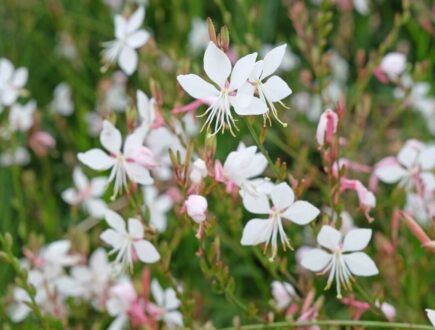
<point x="414" y="161"/>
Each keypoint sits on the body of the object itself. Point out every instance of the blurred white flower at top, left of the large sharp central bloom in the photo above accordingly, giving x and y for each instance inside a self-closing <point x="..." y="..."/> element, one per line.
<point x="129" y="37"/>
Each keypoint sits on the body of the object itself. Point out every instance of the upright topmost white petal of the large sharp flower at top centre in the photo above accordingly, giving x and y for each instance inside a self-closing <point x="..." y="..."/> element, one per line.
<point x="217" y="65"/>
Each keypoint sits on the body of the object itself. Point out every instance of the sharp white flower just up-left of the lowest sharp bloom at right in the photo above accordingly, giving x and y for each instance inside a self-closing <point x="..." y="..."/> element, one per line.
<point x="259" y="231"/>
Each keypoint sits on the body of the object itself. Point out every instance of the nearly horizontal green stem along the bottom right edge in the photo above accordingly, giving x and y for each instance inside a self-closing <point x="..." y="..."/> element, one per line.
<point x="350" y="323"/>
